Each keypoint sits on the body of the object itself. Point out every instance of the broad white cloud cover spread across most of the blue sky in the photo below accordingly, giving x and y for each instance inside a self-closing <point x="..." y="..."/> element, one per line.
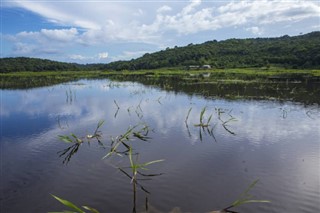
<point x="92" y="24"/>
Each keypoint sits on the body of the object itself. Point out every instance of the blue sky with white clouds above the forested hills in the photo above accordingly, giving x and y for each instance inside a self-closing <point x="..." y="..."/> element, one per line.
<point x="102" y="31"/>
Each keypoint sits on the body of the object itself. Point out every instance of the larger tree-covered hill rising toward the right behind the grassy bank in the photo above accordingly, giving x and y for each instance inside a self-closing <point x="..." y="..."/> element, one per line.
<point x="301" y="51"/>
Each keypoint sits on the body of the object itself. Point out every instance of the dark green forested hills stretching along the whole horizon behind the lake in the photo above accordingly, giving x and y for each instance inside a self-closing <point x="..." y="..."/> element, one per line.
<point x="294" y="52"/>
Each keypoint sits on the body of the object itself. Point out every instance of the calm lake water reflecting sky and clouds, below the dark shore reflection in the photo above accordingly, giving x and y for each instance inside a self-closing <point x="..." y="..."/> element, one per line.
<point x="204" y="169"/>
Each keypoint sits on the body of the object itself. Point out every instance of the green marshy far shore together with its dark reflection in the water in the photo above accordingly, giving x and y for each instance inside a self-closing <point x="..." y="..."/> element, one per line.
<point x="241" y="83"/>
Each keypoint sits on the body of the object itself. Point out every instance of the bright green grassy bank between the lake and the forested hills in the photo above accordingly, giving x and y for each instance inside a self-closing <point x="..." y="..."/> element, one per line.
<point x="20" y="80"/>
